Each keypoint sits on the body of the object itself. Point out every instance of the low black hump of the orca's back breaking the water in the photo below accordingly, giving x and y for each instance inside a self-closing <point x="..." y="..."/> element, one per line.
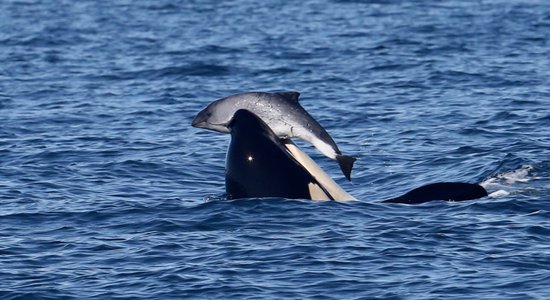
<point x="450" y="191"/>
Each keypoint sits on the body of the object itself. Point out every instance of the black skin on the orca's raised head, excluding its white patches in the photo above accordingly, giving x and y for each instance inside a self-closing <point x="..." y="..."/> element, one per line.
<point x="258" y="165"/>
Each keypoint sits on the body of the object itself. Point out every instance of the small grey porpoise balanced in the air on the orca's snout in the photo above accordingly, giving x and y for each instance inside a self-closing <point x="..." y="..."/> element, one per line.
<point x="282" y="113"/>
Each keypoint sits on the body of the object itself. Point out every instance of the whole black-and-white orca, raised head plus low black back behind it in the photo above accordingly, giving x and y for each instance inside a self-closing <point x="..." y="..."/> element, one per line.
<point x="260" y="164"/>
